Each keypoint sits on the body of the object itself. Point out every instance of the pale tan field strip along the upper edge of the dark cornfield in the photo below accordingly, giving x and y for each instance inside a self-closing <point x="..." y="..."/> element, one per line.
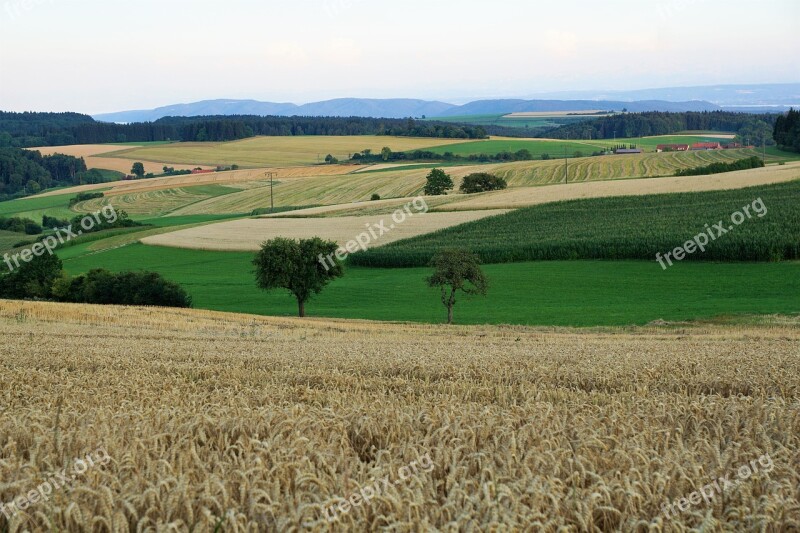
<point x="527" y="196"/>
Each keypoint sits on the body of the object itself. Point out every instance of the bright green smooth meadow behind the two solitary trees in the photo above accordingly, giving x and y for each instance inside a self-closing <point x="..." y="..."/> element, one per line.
<point x="579" y="293"/>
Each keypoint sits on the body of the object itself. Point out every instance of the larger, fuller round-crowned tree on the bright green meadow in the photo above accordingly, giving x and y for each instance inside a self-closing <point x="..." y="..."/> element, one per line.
<point x="302" y="267"/>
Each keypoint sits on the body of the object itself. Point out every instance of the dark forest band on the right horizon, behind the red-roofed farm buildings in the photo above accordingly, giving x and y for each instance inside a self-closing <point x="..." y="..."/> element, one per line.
<point x="754" y="129"/>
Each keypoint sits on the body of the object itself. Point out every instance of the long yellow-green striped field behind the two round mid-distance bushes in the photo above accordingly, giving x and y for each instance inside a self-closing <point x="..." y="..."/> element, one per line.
<point x="299" y="187"/>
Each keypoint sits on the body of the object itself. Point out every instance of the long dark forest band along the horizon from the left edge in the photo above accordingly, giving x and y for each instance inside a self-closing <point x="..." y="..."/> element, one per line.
<point x="25" y="130"/>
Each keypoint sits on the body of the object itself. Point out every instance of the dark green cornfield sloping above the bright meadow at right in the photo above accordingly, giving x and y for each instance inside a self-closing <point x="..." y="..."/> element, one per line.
<point x="633" y="227"/>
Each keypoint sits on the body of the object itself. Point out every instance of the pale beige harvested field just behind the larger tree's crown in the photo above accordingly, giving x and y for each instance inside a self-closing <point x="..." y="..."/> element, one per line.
<point x="248" y="234"/>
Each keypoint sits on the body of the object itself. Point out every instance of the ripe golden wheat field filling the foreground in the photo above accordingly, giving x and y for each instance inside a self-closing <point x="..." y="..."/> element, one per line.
<point x="217" y="422"/>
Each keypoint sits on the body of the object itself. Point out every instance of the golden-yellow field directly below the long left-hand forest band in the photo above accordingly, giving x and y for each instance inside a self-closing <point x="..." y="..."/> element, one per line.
<point x="277" y="151"/>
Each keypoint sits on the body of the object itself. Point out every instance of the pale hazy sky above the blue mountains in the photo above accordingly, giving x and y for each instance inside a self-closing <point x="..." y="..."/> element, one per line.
<point x="105" y="55"/>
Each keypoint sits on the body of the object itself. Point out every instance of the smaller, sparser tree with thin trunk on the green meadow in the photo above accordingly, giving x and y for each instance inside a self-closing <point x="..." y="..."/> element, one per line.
<point x="457" y="270"/>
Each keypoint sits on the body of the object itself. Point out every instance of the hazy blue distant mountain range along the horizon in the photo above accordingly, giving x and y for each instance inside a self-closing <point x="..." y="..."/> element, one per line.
<point x="740" y="97"/>
